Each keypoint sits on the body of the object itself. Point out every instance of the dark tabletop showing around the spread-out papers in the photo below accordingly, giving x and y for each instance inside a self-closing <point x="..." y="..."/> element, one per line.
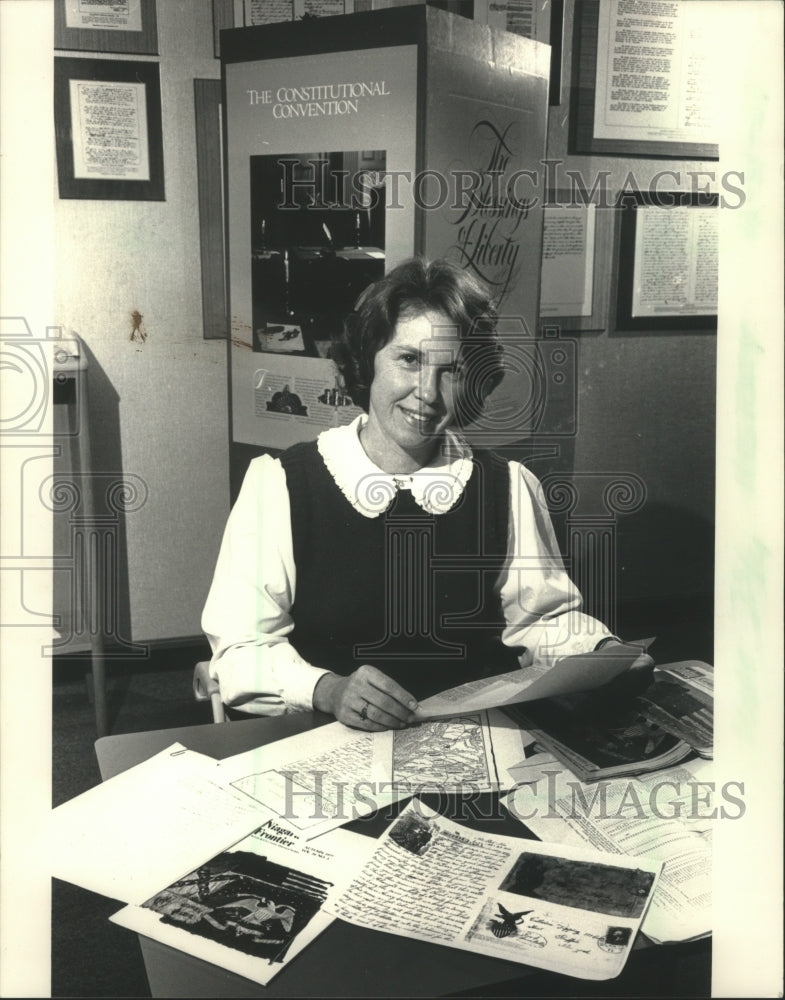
<point x="345" y="960"/>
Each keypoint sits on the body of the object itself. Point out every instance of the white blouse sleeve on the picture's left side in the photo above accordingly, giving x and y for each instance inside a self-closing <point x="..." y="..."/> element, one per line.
<point x="247" y="616"/>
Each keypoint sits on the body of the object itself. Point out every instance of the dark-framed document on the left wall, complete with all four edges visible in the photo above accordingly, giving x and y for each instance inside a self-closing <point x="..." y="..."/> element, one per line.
<point x="88" y="165"/>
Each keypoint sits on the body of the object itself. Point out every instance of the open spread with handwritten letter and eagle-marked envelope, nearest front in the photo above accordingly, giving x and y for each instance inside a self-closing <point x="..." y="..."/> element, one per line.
<point x="570" y="910"/>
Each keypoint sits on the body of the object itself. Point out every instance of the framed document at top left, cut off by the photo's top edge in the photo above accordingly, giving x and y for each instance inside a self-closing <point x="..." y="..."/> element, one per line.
<point x="140" y="37"/>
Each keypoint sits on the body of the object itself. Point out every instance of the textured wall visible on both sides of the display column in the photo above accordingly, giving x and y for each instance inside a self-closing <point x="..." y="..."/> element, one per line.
<point x="646" y="401"/>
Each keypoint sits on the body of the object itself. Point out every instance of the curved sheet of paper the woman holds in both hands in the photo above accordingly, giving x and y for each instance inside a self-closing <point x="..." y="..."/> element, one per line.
<point x="580" y="672"/>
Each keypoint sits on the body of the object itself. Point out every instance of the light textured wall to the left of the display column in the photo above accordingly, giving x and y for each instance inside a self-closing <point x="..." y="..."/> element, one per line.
<point x="158" y="408"/>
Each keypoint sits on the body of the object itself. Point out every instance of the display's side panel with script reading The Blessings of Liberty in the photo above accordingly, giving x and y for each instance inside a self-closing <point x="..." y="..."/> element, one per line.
<point x="484" y="143"/>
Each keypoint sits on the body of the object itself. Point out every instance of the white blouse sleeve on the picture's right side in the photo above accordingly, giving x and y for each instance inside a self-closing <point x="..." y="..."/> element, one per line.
<point x="541" y="604"/>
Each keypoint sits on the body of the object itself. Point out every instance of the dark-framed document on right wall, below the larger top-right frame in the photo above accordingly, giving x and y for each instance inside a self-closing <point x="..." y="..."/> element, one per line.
<point x="663" y="316"/>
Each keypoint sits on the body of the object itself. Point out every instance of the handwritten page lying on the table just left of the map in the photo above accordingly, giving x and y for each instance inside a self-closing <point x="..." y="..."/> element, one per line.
<point x="314" y="781"/>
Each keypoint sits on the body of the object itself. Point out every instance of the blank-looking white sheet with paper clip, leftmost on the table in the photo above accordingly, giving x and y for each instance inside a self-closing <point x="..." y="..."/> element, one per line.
<point x="147" y="826"/>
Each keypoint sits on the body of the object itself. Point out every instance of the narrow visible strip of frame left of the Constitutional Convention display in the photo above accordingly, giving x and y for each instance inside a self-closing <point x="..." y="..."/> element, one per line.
<point x="210" y="179"/>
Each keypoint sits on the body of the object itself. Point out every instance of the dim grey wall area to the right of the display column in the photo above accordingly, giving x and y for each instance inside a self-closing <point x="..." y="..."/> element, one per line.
<point x="646" y="404"/>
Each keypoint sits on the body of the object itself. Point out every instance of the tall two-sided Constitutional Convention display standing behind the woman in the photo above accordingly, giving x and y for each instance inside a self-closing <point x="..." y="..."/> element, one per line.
<point x="340" y="163"/>
